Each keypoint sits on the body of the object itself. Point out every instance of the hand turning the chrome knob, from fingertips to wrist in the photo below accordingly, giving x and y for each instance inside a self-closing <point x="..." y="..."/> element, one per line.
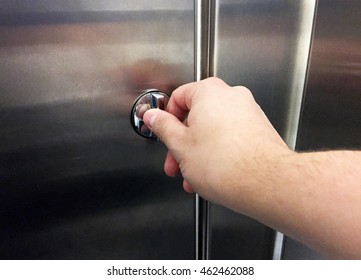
<point x="218" y="138"/>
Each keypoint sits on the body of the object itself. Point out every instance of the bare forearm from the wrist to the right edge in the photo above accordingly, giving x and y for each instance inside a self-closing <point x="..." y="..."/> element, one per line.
<point x="315" y="198"/>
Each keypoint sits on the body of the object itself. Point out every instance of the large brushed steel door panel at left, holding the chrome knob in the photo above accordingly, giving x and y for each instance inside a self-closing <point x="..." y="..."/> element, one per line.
<point x="76" y="181"/>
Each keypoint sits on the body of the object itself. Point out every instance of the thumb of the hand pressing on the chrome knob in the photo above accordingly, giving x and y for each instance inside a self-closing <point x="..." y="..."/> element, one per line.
<point x="166" y="126"/>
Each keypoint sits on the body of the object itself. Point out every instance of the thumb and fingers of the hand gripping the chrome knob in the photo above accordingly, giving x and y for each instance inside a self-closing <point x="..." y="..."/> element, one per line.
<point x="171" y="126"/>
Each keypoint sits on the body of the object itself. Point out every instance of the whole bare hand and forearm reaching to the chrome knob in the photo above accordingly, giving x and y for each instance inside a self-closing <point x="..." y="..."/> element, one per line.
<point x="229" y="153"/>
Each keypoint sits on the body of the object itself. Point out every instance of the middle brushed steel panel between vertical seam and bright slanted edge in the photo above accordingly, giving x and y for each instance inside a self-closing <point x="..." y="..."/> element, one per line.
<point x="263" y="45"/>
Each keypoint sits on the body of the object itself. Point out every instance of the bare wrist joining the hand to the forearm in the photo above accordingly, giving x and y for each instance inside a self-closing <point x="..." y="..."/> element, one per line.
<point x="257" y="187"/>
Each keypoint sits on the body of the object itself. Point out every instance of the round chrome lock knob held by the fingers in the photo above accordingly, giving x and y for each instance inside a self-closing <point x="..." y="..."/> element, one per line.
<point x="148" y="100"/>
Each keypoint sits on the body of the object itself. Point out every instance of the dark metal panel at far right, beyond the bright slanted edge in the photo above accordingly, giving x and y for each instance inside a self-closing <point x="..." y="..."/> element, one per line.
<point x="331" y="115"/>
